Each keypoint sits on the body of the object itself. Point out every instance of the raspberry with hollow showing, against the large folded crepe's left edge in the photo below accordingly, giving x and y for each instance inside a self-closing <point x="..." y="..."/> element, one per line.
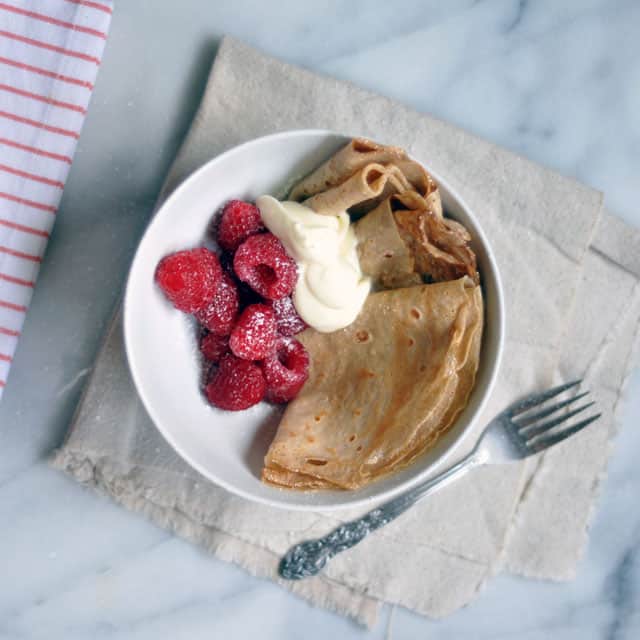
<point x="286" y="371"/>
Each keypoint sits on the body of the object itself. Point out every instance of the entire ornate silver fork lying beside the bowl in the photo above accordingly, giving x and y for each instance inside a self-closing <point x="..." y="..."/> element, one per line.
<point x="512" y="435"/>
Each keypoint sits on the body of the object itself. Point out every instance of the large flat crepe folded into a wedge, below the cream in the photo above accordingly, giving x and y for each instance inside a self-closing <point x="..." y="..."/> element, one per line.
<point x="382" y="390"/>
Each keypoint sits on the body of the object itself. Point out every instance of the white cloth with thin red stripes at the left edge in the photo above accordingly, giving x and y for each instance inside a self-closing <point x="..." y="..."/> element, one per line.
<point x="50" y="51"/>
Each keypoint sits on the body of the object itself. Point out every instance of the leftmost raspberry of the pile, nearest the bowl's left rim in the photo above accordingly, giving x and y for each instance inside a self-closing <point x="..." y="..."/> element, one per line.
<point x="189" y="278"/>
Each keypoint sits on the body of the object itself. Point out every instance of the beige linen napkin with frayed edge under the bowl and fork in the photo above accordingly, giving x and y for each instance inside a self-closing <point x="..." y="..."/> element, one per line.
<point x="573" y="303"/>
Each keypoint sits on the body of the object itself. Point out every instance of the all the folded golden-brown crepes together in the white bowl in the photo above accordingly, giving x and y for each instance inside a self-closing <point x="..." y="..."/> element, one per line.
<point x="381" y="391"/>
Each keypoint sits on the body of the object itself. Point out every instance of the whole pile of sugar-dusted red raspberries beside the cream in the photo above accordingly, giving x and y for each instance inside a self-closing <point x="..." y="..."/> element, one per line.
<point x="242" y="302"/>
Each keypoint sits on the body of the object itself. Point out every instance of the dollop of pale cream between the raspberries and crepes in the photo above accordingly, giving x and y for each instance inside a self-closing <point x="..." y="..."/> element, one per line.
<point x="331" y="288"/>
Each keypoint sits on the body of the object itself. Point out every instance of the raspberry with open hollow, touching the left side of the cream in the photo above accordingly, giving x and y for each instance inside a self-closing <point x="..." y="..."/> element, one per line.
<point x="262" y="262"/>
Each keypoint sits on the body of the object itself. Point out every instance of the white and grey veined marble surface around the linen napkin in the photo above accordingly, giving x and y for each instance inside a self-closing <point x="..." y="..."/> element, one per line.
<point x="557" y="82"/>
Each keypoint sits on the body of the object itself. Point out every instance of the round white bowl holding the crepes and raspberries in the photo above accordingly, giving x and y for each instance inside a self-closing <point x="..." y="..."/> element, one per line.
<point x="228" y="447"/>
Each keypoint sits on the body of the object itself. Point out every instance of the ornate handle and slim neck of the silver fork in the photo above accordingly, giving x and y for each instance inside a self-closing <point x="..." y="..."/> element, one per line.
<point x="308" y="558"/>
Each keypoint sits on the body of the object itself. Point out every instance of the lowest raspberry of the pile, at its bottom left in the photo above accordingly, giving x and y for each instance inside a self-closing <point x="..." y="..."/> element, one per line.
<point x="236" y="385"/>
